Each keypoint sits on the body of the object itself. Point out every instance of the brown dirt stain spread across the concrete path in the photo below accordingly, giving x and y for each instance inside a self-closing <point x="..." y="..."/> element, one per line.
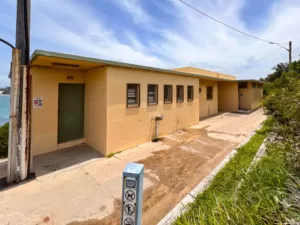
<point x="178" y="170"/>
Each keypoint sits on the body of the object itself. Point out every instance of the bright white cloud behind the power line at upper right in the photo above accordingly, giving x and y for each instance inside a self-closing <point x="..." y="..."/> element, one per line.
<point x="204" y="40"/>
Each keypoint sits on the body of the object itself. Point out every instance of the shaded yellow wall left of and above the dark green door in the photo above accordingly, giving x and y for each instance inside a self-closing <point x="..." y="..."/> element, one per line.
<point x="45" y="119"/>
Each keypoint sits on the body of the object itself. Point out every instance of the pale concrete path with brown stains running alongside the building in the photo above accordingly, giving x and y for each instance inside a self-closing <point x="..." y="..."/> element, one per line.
<point x="90" y="192"/>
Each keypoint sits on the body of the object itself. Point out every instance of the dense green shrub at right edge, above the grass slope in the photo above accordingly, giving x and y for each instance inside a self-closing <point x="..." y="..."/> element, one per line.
<point x="283" y="102"/>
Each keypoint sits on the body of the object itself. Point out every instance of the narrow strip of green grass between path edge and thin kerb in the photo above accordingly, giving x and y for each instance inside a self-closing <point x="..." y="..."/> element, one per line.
<point x="208" y="204"/>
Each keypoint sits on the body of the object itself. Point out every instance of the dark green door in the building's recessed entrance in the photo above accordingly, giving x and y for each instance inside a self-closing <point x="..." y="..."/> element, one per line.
<point x="70" y="112"/>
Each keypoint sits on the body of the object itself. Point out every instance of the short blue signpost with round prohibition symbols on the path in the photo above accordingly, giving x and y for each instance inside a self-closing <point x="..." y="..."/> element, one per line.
<point x="132" y="194"/>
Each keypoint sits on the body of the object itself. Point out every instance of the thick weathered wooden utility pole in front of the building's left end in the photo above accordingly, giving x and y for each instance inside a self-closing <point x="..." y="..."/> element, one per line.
<point x="19" y="150"/>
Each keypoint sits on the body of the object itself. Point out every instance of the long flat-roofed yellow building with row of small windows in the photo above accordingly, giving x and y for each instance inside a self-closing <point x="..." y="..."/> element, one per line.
<point x="112" y="106"/>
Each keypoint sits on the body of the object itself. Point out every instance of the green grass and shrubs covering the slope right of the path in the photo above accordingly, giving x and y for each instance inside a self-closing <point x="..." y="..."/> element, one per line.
<point x="270" y="192"/>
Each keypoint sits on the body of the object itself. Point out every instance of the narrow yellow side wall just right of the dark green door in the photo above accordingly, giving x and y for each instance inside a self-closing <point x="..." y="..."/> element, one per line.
<point x="95" y="108"/>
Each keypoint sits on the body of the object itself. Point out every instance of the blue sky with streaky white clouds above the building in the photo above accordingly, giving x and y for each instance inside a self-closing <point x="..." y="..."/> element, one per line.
<point x="161" y="33"/>
